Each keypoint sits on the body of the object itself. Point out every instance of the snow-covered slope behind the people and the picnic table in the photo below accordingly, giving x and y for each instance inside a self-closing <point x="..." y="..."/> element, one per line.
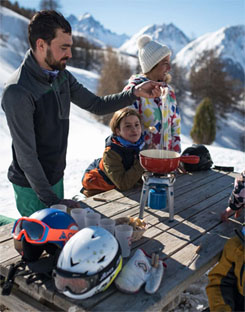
<point x="86" y="138"/>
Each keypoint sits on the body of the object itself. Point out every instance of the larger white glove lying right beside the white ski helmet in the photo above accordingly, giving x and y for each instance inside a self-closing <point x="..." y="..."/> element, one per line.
<point x="134" y="274"/>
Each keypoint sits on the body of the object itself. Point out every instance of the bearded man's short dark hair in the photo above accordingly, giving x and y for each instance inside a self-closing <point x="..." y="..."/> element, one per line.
<point x="44" y="25"/>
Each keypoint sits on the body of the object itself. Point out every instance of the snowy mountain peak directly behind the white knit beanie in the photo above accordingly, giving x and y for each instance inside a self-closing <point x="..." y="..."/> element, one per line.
<point x="169" y="34"/>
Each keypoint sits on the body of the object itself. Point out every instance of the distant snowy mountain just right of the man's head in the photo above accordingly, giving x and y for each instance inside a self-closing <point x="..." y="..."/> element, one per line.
<point x="94" y="32"/>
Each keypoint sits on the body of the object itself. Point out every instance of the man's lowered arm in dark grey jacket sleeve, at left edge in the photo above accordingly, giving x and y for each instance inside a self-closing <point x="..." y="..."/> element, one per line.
<point x="19" y="109"/>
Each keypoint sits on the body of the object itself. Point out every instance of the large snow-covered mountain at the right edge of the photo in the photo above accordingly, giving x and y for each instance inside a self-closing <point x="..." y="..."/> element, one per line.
<point x="228" y="44"/>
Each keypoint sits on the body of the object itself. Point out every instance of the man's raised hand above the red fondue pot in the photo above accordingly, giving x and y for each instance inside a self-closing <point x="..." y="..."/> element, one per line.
<point x="148" y="89"/>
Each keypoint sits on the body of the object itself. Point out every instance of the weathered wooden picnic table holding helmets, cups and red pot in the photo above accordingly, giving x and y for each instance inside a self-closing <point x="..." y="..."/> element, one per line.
<point x="199" y="200"/>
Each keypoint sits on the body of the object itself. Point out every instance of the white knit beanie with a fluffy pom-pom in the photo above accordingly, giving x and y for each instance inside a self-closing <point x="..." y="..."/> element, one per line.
<point x="150" y="52"/>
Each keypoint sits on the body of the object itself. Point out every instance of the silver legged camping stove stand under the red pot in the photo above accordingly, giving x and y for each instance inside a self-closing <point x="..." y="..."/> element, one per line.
<point x="163" y="180"/>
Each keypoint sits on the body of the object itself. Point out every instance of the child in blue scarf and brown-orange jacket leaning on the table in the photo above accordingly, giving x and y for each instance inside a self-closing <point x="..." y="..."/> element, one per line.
<point x="119" y="167"/>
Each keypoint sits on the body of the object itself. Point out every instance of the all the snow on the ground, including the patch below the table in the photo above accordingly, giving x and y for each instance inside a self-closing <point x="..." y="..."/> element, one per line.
<point x="86" y="141"/>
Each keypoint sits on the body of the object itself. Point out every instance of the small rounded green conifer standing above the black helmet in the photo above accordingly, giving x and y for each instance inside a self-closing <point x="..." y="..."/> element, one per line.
<point x="204" y="127"/>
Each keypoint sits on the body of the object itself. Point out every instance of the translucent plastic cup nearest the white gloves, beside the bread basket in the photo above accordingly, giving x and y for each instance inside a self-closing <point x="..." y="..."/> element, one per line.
<point x="123" y="233"/>
